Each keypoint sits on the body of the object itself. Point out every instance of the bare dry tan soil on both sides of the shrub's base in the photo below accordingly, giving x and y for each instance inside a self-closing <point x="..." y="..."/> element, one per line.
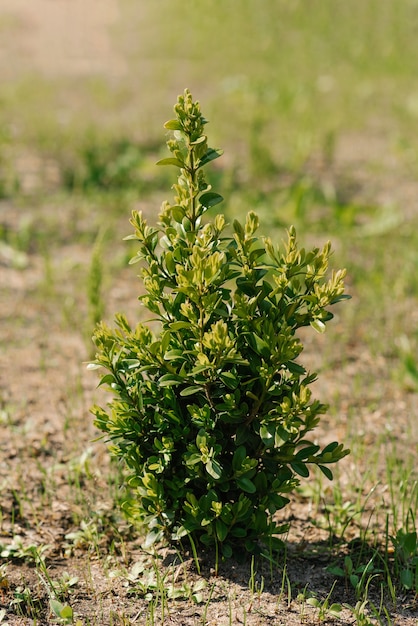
<point x="55" y="477"/>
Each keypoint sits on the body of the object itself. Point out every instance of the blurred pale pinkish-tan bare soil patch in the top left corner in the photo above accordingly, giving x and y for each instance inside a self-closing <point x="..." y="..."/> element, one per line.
<point x="59" y="37"/>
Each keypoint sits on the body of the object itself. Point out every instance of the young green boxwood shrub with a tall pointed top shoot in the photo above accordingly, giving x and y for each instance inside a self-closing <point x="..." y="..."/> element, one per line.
<point x="212" y="408"/>
